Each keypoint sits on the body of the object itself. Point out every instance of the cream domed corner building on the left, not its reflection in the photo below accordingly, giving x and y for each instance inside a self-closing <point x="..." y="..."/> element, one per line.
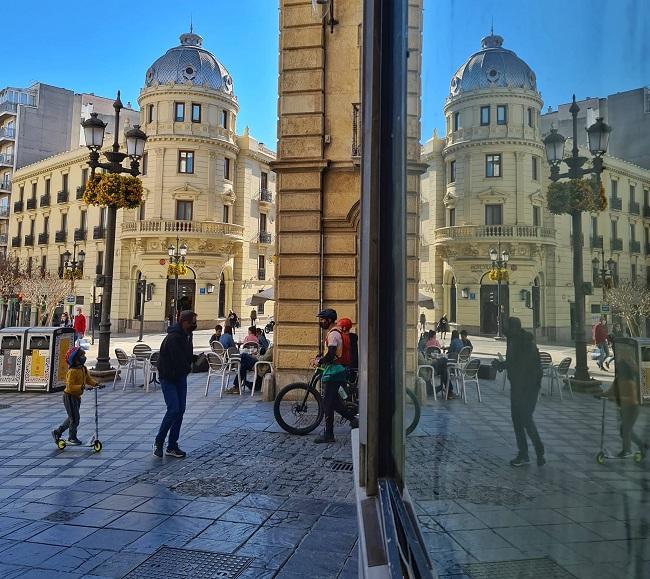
<point x="205" y="186"/>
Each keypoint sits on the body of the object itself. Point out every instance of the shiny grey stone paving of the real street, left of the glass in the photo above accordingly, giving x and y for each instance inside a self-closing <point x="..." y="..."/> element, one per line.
<point x="245" y="488"/>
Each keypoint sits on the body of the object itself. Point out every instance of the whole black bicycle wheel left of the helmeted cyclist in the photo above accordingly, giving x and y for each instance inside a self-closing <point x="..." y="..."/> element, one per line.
<point x="298" y="408"/>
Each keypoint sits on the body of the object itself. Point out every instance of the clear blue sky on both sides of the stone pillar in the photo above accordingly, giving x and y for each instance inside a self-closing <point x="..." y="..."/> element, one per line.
<point x="590" y="47"/>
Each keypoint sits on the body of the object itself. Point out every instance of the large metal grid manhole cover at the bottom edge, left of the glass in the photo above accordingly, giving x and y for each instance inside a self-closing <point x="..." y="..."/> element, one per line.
<point x="172" y="563"/>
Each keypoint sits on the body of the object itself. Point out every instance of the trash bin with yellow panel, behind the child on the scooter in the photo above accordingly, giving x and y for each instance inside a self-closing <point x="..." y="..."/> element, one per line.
<point x="45" y="366"/>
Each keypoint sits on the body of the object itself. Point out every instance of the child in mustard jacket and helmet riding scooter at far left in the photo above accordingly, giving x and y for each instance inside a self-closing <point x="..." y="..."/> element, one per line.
<point x="77" y="379"/>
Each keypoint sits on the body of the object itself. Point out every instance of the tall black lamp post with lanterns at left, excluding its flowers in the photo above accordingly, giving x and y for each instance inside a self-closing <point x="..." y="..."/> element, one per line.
<point x="135" y="140"/>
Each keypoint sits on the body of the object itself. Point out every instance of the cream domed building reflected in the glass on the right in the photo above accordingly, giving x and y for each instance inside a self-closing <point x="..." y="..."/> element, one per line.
<point x="486" y="188"/>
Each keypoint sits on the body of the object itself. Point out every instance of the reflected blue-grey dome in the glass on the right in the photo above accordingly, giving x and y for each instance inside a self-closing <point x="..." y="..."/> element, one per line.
<point x="492" y="66"/>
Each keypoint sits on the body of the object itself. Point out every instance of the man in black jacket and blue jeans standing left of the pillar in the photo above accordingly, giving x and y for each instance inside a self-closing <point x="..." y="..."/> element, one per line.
<point x="175" y="363"/>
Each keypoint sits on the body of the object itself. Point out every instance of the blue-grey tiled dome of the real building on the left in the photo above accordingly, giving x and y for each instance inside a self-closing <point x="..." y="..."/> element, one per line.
<point x="189" y="62"/>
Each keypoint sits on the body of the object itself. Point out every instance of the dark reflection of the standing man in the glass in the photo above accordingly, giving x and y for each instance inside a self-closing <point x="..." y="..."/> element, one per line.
<point x="525" y="374"/>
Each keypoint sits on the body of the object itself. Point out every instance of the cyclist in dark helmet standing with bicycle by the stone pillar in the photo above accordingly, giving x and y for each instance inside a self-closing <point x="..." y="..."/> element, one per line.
<point x="333" y="375"/>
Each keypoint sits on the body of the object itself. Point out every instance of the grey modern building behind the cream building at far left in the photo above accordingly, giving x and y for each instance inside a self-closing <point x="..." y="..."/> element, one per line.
<point x="37" y="122"/>
